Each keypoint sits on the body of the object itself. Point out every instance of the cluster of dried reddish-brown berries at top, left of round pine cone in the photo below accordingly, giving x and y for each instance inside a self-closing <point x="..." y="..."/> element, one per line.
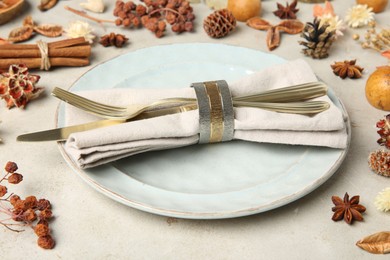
<point x="155" y="14"/>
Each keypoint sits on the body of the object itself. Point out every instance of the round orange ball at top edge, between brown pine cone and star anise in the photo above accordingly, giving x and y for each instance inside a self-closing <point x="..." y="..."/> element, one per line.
<point x="244" y="9"/>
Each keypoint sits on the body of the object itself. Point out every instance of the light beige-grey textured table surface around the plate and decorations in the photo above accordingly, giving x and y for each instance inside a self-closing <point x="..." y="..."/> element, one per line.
<point x="89" y="225"/>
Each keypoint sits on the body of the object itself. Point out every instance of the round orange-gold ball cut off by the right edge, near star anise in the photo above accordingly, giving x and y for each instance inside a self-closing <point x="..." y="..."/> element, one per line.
<point x="378" y="88"/>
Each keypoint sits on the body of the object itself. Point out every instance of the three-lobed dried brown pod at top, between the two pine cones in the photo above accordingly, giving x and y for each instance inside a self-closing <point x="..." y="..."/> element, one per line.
<point x="273" y="31"/>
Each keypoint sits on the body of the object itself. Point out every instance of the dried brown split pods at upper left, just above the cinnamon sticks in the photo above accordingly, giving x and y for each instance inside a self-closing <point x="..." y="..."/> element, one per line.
<point x="28" y="29"/>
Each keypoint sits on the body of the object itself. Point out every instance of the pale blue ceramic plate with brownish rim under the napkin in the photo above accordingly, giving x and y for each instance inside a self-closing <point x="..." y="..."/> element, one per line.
<point x="202" y="181"/>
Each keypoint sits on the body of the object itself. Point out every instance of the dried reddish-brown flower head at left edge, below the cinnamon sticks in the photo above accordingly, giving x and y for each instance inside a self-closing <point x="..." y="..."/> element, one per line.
<point x="17" y="86"/>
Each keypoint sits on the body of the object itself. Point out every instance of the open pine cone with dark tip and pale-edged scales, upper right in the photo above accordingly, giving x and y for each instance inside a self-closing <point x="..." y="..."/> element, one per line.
<point x="319" y="39"/>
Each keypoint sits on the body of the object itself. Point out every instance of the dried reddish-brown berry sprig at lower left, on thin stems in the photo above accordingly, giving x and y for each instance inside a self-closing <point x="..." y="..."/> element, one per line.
<point x="29" y="212"/>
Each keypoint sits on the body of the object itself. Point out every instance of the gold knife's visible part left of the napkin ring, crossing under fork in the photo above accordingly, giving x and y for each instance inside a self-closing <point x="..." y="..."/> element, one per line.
<point x="61" y="134"/>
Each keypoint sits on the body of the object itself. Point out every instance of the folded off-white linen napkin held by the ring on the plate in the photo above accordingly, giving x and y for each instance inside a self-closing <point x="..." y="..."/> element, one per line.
<point x="103" y="145"/>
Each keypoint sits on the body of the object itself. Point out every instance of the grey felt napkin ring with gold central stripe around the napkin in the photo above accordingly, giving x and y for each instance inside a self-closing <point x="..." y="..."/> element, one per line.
<point x="216" y="115"/>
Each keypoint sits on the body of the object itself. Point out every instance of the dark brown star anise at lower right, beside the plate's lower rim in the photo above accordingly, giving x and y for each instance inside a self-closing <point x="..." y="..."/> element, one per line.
<point x="347" y="209"/>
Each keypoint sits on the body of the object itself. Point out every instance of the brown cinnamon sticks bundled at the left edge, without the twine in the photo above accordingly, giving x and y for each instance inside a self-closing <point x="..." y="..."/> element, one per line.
<point x="71" y="53"/>
